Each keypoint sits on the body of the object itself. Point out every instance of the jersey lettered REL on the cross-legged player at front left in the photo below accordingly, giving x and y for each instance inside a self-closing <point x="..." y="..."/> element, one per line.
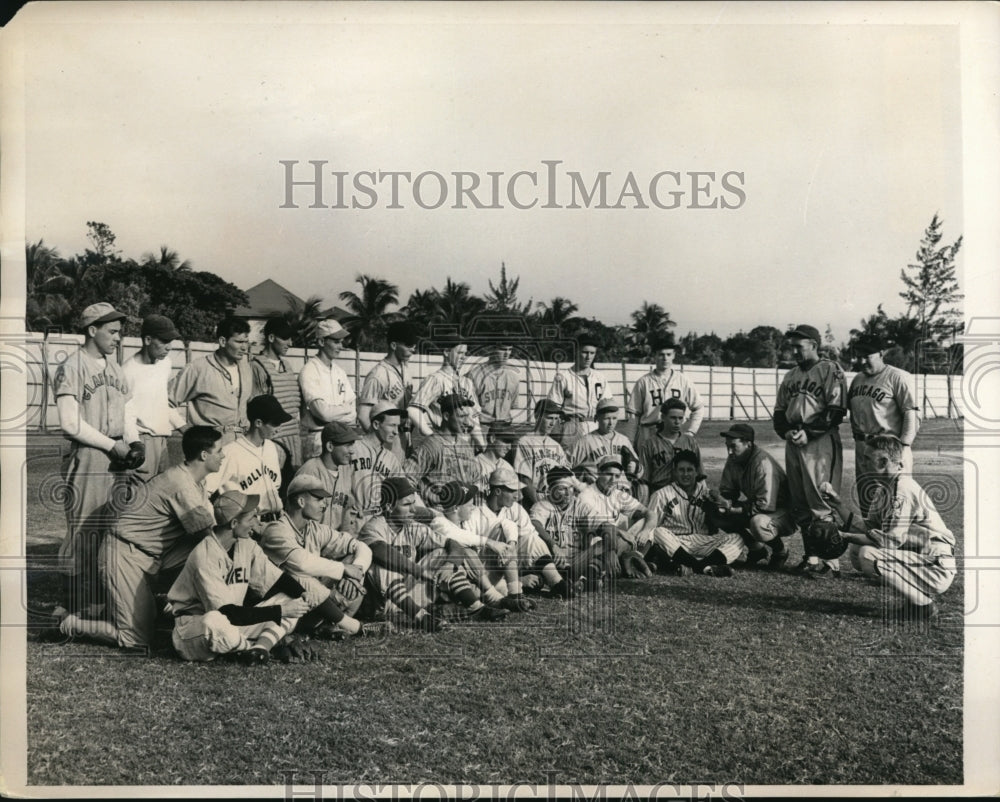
<point x="213" y="578"/>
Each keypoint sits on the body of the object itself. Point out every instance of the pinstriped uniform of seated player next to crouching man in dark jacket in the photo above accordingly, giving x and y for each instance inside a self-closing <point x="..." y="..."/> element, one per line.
<point x="682" y="524"/>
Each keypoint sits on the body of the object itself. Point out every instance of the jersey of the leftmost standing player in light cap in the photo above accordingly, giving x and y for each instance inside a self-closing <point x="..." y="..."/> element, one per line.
<point x="99" y="387"/>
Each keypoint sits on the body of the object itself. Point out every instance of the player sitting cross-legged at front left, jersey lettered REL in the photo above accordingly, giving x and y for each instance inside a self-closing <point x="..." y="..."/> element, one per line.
<point x="207" y="599"/>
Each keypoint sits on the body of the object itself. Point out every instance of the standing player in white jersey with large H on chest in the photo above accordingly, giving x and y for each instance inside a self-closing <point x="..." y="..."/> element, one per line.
<point x="659" y="385"/>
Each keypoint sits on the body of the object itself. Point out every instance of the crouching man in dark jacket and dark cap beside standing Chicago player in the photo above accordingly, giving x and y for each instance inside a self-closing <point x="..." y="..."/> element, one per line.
<point x="752" y="498"/>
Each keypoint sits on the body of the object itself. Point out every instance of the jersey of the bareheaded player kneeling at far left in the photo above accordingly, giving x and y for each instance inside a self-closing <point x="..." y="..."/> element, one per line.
<point x="173" y="505"/>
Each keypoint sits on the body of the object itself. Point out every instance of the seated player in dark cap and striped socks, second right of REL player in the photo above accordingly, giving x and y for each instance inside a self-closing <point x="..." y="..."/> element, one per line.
<point x="414" y="567"/>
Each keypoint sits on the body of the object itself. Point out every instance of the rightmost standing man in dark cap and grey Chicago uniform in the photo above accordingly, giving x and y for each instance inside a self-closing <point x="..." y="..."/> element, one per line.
<point x="881" y="400"/>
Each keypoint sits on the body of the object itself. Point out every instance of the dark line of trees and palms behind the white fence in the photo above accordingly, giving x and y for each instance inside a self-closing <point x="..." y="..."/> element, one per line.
<point x="922" y="338"/>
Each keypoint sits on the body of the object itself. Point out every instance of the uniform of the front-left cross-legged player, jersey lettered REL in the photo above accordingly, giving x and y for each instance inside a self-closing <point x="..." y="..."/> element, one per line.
<point x="207" y="601"/>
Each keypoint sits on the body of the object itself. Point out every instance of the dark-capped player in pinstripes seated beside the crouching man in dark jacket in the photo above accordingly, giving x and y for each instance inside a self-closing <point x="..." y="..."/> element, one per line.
<point x="677" y="531"/>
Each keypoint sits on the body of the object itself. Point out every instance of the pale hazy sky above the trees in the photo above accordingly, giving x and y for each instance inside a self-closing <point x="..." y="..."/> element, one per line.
<point x="842" y="140"/>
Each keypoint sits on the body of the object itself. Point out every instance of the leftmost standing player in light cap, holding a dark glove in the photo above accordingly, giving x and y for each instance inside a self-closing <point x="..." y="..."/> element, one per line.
<point x="94" y="401"/>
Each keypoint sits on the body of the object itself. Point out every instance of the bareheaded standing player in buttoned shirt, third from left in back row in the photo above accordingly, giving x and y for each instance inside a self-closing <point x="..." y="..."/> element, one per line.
<point x="217" y="387"/>
